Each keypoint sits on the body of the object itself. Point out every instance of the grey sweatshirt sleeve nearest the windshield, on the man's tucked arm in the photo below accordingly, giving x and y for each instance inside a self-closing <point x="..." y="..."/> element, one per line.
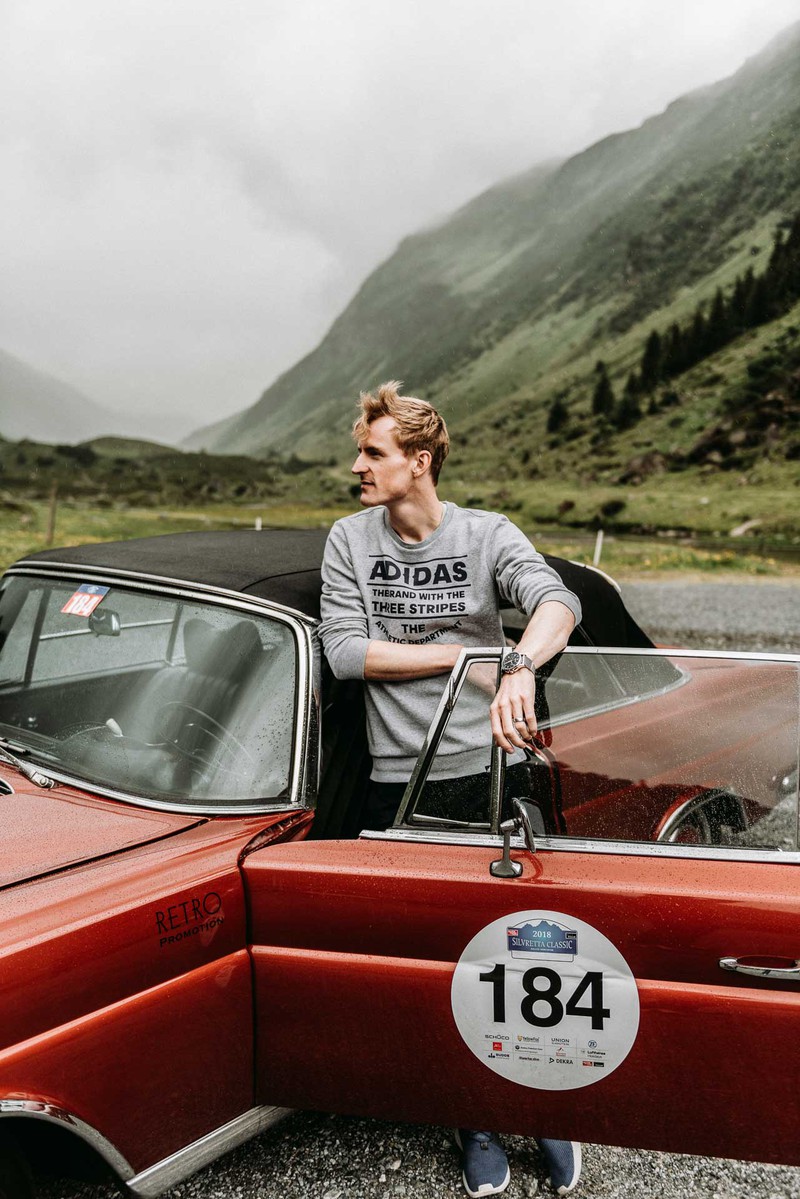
<point x="344" y="630"/>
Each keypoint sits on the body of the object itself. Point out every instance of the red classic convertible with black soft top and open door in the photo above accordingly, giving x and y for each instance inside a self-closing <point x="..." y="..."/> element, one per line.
<point x="199" y="935"/>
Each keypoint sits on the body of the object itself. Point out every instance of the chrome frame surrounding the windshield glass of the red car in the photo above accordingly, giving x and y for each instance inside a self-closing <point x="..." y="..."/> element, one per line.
<point x="303" y="791"/>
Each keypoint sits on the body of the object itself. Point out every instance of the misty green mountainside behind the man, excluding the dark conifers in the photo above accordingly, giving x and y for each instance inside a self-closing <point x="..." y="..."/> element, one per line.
<point x="513" y="302"/>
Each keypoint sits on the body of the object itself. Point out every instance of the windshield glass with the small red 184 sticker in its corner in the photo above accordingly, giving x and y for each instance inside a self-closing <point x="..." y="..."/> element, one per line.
<point x="151" y="695"/>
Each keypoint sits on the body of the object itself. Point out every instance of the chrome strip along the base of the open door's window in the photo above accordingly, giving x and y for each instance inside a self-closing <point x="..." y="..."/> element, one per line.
<point x="580" y="846"/>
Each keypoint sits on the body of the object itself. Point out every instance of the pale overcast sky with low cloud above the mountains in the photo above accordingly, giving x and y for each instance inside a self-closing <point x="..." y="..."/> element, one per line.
<point x="193" y="190"/>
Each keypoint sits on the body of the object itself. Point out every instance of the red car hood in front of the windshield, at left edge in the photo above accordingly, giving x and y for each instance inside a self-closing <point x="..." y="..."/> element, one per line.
<point x="46" y="832"/>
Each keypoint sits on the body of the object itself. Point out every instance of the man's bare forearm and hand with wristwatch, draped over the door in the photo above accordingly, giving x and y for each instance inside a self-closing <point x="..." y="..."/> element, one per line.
<point x="548" y="634"/>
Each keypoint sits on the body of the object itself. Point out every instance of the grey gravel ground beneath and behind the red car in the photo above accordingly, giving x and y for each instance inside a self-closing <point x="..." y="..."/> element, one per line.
<point x="316" y="1156"/>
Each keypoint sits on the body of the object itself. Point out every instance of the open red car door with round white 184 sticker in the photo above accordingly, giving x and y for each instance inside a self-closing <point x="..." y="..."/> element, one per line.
<point x="622" y="990"/>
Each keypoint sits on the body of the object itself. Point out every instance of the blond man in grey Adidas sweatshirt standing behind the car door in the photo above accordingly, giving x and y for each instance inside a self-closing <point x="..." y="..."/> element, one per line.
<point x="407" y="583"/>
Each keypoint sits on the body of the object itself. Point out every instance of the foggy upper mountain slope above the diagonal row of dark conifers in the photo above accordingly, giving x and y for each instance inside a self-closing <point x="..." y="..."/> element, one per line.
<point x="543" y="272"/>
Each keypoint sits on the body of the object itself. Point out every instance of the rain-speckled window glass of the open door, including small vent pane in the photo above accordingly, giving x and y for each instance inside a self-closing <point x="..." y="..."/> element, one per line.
<point x="647" y="748"/>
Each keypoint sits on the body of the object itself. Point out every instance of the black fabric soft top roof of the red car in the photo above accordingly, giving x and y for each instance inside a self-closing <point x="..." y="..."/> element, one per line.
<point x="284" y="565"/>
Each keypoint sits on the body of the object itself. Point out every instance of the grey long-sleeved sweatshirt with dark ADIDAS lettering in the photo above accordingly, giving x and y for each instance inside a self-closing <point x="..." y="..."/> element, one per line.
<point x="448" y="588"/>
